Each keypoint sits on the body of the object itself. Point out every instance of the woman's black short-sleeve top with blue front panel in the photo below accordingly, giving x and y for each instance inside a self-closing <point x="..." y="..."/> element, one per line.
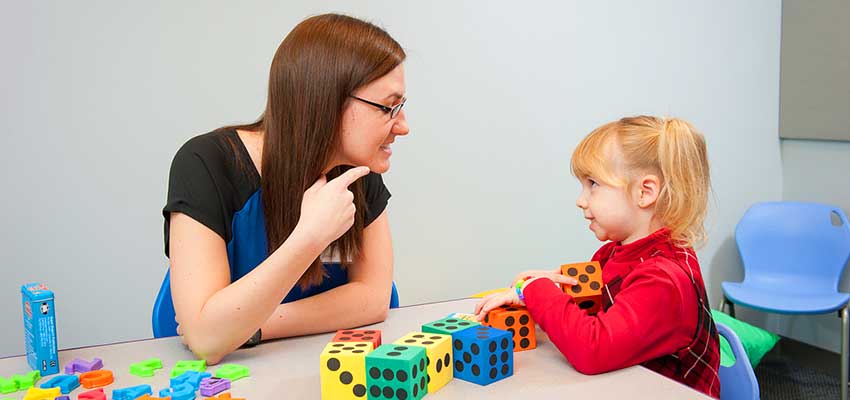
<point x="214" y="182"/>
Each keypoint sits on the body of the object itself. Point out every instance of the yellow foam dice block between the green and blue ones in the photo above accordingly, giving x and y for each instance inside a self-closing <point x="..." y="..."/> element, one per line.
<point x="438" y="356"/>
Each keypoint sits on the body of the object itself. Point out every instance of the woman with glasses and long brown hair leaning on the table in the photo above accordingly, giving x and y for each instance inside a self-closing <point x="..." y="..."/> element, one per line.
<point x="254" y="209"/>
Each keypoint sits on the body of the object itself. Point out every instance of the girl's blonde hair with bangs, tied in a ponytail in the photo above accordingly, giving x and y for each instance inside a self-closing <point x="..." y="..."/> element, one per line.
<point x="668" y="147"/>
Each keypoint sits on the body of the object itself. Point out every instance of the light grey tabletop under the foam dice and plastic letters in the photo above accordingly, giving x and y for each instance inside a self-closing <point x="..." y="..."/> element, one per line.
<point x="289" y="368"/>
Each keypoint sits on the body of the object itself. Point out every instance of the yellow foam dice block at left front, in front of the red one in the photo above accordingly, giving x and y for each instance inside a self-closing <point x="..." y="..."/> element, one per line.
<point x="343" y="370"/>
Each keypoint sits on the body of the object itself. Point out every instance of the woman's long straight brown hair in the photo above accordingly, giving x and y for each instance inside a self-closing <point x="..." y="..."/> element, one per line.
<point x="314" y="71"/>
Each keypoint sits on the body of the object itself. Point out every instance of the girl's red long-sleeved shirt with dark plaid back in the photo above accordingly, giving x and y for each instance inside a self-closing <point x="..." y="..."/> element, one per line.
<point x="655" y="313"/>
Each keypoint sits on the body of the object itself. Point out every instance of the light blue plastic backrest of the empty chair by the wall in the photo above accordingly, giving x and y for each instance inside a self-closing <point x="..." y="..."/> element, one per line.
<point x="807" y="241"/>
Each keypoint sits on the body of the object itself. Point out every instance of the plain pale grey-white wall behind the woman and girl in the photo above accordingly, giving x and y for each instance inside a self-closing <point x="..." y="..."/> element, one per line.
<point x="100" y="96"/>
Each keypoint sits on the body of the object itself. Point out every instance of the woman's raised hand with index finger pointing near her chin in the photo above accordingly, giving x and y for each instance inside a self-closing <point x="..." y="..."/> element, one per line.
<point x="327" y="208"/>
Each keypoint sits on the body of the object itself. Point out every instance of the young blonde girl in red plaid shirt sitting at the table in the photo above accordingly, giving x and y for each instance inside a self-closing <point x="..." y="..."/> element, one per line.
<point x="645" y="183"/>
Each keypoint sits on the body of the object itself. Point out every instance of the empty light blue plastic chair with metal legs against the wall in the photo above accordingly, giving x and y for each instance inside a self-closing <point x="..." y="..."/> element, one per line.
<point x="793" y="255"/>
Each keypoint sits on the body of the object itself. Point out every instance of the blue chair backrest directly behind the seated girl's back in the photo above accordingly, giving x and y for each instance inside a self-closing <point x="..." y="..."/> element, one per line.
<point x="737" y="382"/>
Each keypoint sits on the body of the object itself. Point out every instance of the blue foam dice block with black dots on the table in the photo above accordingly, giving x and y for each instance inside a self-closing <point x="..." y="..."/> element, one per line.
<point x="483" y="355"/>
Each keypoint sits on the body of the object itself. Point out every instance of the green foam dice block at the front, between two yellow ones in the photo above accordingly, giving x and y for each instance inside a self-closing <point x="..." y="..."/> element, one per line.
<point x="397" y="372"/>
